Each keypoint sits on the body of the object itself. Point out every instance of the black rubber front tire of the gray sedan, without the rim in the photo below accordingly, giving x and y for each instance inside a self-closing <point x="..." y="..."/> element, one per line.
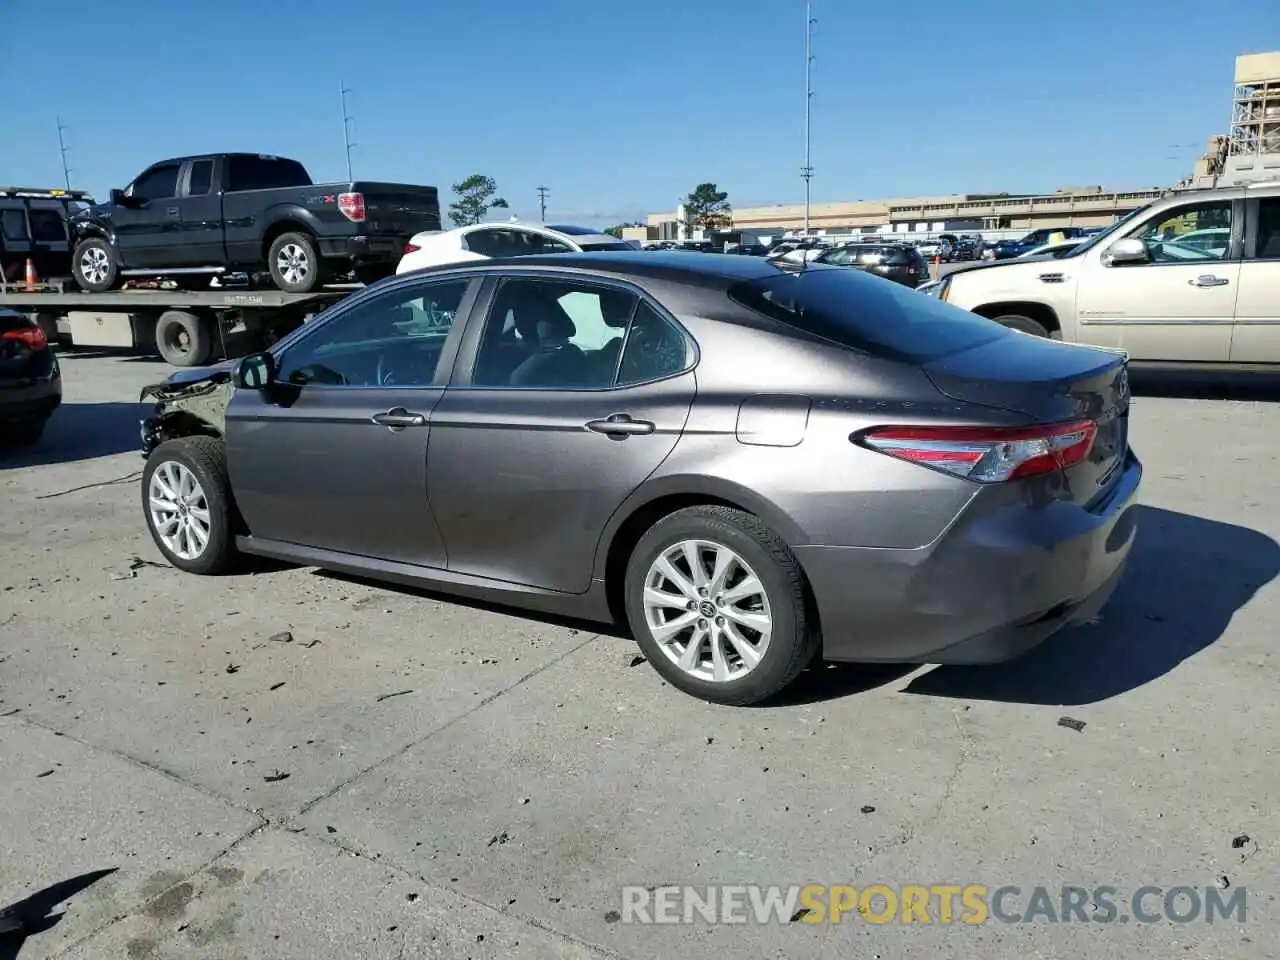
<point x="207" y="459"/>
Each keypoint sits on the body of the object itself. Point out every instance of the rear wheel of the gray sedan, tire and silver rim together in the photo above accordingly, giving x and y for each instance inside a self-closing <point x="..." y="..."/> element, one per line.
<point x="717" y="604"/>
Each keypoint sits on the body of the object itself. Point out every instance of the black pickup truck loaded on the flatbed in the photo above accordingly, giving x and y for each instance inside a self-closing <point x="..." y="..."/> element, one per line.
<point x="200" y="217"/>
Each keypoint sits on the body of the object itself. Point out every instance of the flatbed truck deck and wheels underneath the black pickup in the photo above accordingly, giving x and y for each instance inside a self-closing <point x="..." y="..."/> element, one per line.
<point x="186" y="328"/>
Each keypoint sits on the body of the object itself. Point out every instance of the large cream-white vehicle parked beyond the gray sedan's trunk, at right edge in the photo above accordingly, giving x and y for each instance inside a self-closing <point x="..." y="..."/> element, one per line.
<point x="1194" y="277"/>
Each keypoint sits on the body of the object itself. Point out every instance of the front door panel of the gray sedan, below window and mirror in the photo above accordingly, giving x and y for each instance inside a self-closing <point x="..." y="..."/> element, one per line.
<point x="321" y="473"/>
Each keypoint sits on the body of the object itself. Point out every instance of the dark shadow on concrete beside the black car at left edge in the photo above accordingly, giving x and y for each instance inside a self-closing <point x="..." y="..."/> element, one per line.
<point x="81" y="432"/>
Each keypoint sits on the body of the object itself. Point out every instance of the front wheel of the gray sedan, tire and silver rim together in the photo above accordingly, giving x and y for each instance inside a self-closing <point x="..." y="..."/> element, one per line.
<point x="186" y="499"/>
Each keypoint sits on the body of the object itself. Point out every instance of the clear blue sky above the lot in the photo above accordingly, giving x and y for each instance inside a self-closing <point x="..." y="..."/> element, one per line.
<point x="621" y="108"/>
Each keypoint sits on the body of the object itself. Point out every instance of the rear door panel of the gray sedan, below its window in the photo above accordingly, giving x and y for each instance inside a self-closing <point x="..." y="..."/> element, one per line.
<point x="523" y="488"/>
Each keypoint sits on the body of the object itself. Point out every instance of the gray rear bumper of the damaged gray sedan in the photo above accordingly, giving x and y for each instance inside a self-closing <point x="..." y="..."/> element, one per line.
<point x="996" y="584"/>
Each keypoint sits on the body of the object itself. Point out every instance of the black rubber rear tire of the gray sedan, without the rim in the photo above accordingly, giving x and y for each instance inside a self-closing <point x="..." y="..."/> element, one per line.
<point x="796" y="639"/>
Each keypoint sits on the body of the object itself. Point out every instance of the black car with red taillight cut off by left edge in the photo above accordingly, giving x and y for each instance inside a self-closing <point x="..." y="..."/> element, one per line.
<point x="31" y="385"/>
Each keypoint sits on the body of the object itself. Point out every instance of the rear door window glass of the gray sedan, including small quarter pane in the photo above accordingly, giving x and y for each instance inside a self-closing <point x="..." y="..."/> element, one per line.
<point x="565" y="335"/>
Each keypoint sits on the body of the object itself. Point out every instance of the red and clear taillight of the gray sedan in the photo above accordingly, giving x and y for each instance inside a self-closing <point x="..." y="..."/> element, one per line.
<point x="988" y="455"/>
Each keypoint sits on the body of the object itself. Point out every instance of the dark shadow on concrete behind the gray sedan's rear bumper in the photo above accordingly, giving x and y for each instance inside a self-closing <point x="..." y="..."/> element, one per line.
<point x="1187" y="578"/>
